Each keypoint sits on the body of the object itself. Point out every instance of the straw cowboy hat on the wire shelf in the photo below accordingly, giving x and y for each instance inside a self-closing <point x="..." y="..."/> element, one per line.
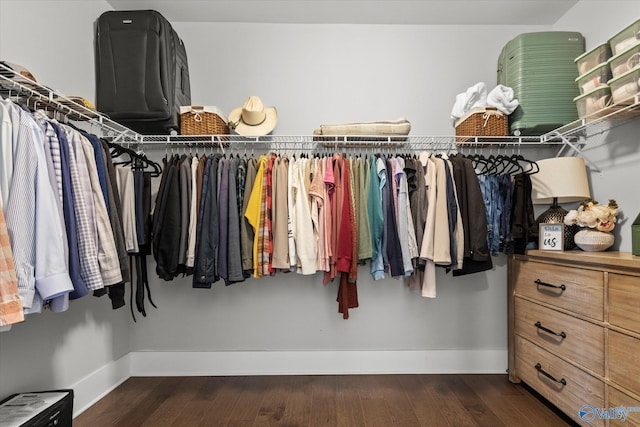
<point x="253" y="119"/>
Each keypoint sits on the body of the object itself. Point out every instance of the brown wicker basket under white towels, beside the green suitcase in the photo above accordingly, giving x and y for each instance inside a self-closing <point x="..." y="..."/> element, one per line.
<point x="486" y="121"/>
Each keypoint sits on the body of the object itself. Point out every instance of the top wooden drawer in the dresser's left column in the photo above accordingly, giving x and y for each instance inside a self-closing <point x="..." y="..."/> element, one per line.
<point x="570" y="288"/>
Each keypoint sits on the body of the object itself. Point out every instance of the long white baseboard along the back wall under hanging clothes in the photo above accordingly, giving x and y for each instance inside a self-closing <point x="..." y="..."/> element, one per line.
<point x="152" y="363"/>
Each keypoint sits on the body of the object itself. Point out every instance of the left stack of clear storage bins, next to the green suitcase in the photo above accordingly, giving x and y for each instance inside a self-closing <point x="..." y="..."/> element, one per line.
<point x="595" y="72"/>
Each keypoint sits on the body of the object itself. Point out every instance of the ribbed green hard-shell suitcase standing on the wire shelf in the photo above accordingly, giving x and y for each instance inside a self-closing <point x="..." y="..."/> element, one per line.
<point x="539" y="68"/>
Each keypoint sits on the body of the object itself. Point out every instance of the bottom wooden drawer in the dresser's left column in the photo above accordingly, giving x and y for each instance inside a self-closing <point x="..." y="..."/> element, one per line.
<point x="579" y="388"/>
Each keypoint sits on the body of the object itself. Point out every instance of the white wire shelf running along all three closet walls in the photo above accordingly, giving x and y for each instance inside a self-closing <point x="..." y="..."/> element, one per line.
<point x="572" y="136"/>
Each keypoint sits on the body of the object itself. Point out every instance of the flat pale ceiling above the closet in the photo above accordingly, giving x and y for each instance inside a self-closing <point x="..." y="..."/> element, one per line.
<point x="420" y="12"/>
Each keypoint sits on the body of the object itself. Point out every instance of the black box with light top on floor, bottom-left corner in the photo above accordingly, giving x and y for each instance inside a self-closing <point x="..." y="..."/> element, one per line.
<point x="38" y="409"/>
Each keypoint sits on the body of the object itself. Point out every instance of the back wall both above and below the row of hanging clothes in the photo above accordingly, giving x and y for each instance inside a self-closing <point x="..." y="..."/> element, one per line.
<point x="318" y="74"/>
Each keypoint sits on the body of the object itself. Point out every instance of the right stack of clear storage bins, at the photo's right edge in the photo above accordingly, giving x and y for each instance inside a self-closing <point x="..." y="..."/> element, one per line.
<point x="625" y="65"/>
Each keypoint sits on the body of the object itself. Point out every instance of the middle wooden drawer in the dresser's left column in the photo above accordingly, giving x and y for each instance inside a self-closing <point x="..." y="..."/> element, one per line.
<point x="583" y="342"/>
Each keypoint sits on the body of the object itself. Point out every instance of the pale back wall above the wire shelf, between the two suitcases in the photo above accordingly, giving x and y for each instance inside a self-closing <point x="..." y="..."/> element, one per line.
<point x="316" y="74"/>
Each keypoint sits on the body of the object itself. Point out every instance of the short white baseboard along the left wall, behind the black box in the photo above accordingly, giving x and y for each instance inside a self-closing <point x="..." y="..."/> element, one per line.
<point x="96" y="385"/>
